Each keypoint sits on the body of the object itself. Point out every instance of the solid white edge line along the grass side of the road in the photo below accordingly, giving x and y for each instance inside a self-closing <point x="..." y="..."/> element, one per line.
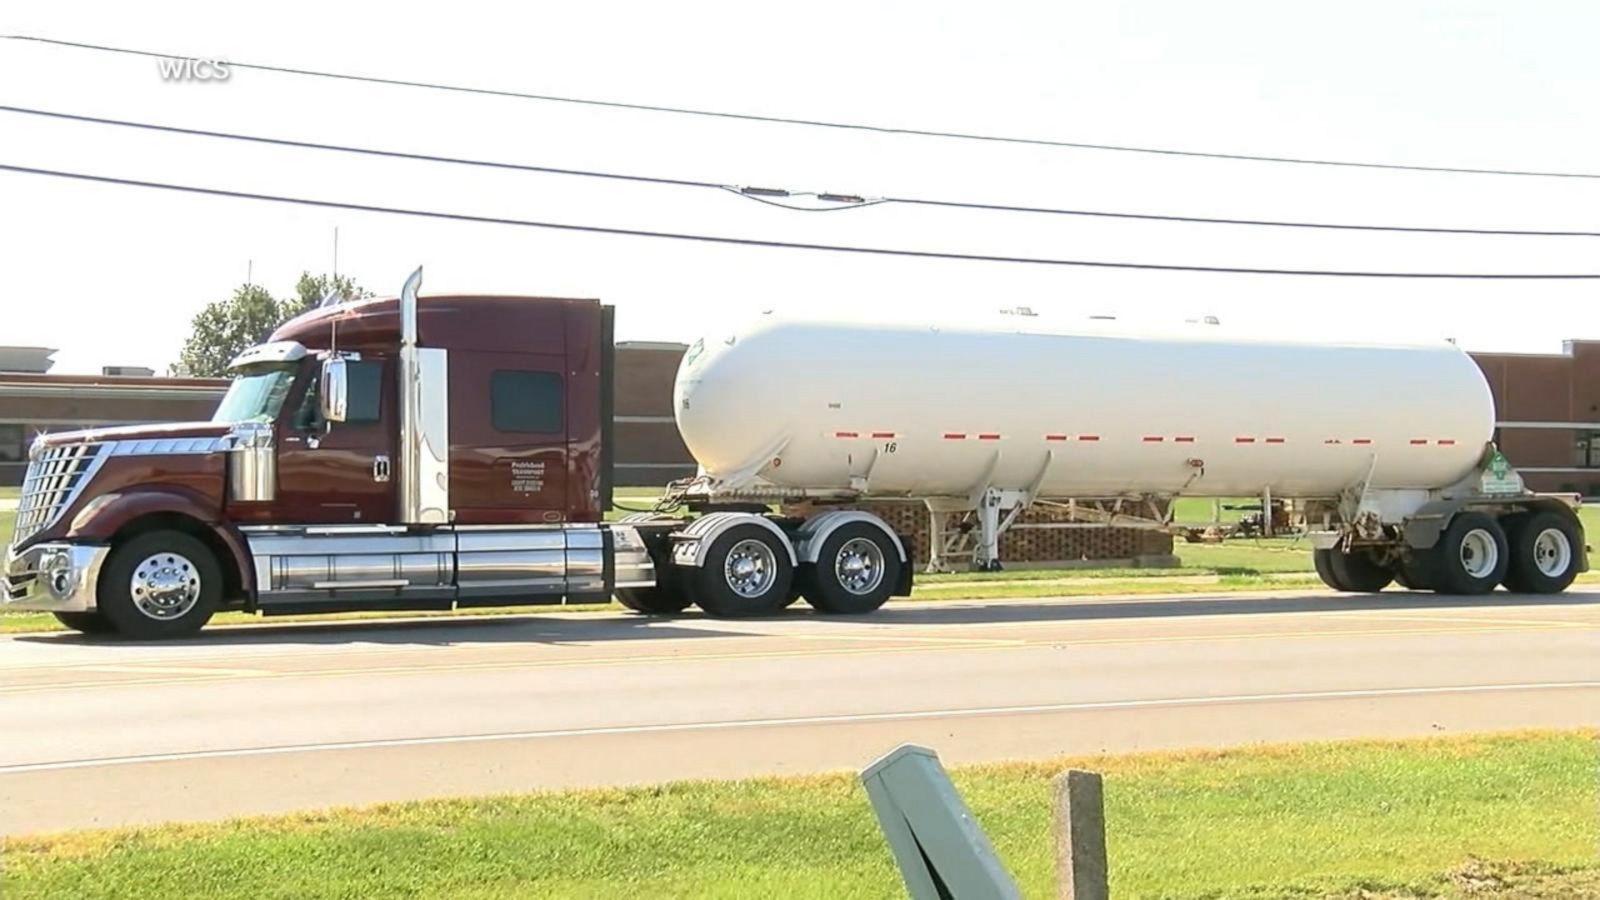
<point x="799" y="721"/>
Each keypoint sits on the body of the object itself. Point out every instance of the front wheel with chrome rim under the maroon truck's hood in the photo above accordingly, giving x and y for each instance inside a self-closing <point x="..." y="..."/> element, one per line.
<point x="183" y="561"/>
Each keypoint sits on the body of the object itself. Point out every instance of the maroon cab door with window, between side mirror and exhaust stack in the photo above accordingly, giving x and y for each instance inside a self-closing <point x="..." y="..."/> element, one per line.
<point x="343" y="472"/>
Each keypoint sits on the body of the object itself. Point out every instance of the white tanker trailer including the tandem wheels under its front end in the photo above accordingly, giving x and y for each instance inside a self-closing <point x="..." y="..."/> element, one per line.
<point x="1386" y="449"/>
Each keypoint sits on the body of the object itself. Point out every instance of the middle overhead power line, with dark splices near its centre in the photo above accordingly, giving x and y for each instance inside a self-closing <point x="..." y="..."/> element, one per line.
<point x="766" y="196"/>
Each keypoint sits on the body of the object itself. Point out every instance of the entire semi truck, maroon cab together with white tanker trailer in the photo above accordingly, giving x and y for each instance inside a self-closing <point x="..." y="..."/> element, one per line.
<point x="455" y="452"/>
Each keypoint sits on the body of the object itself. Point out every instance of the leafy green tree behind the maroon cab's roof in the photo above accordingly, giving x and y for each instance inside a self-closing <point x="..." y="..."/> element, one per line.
<point x="226" y="327"/>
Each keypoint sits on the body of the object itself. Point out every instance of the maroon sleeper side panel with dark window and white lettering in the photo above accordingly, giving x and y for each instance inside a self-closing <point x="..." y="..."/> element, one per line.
<point x="508" y="438"/>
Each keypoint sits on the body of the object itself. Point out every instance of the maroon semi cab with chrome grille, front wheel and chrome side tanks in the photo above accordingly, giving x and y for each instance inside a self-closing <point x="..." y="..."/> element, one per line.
<point x="383" y="454"/>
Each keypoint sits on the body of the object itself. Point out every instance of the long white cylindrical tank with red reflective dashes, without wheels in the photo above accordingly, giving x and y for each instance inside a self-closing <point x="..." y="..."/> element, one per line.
<point x="1094" y="411"/>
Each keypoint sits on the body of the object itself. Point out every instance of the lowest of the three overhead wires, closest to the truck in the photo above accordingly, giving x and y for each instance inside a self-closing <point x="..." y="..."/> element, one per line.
<point x="772" y="244"/>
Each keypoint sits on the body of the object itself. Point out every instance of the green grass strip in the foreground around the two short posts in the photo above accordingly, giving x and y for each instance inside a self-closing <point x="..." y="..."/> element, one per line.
<point x="1364" y="819"/>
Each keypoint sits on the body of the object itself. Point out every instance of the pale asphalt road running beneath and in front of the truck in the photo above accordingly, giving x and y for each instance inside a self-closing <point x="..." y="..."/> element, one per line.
<point x="286" y="718"/>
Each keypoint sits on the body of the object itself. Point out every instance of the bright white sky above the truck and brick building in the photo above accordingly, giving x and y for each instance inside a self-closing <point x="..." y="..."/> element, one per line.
<point x="114" y="275"/>
